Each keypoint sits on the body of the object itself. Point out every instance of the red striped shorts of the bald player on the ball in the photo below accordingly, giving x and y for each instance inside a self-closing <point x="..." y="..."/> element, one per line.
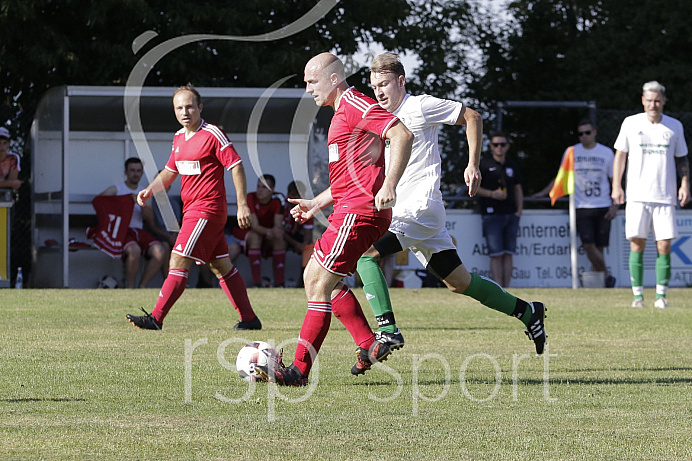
<point x="346" y="239"/>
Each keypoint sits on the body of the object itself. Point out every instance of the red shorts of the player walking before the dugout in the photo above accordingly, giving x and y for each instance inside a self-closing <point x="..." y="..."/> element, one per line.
<point x="201" y="239"/>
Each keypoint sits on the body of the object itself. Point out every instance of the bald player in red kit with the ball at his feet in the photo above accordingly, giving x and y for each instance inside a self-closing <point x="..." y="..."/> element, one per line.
<point x="361" y="195"/>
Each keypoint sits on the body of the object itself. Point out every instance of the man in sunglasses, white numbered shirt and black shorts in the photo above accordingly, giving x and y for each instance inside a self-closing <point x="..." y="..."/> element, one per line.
<point x="593" y="172"/>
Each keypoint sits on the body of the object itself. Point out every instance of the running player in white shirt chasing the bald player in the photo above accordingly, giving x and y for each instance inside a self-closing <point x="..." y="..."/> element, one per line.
<point x="418" y="218"/>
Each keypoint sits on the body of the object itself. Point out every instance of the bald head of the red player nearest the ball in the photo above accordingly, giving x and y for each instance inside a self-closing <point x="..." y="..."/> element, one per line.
<point x="325" y="79"/>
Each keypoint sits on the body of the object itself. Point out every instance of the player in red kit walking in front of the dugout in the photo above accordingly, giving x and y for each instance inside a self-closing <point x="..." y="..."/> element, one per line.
<point x="200" y="153"/>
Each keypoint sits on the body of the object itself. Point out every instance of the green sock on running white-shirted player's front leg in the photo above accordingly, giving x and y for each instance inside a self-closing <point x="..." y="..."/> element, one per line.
<point x="377" y="293"/>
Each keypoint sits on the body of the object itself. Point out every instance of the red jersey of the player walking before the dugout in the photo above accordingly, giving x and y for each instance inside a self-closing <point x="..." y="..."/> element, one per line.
<point x="200" y="161"/>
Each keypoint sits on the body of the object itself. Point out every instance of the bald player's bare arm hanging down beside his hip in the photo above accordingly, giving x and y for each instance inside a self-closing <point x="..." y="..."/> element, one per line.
<point x="400" y="143"/>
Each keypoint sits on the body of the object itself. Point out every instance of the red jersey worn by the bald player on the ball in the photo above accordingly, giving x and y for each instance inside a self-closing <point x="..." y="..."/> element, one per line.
<point x="356" y="153"/>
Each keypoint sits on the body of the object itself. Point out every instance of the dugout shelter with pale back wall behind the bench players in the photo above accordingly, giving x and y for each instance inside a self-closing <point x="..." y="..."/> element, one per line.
<point x="80" y="139"/>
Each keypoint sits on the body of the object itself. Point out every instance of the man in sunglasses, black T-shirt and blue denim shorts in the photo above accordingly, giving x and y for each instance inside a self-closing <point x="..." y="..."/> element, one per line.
<point x="501" y="201"/>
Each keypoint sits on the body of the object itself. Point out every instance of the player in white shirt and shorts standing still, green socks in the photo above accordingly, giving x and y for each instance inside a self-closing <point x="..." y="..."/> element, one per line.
<point x="654" y="148"/>
